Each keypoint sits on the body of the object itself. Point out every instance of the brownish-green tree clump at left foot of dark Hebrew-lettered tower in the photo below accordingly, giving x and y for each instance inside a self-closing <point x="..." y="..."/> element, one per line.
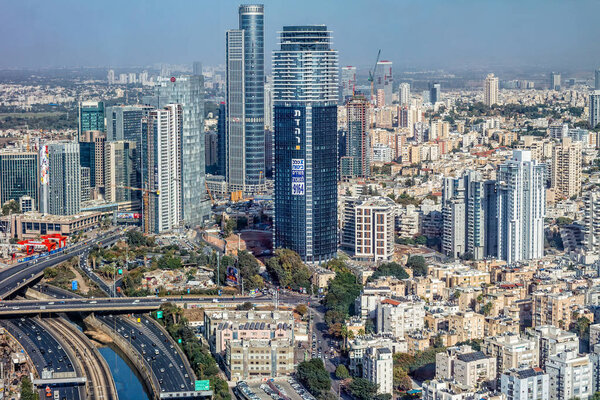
<point x="288" y="270"/>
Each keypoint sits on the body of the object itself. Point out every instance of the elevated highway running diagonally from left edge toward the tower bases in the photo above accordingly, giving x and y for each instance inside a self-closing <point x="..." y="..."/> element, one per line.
<point x="15" y="277"/>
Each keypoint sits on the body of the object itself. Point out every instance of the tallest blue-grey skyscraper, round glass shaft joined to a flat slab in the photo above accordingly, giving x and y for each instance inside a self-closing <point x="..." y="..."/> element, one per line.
<point x="245" y="102"/>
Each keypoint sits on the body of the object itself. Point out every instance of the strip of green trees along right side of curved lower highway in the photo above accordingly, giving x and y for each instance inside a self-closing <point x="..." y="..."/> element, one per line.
<point x="201" y="360"/>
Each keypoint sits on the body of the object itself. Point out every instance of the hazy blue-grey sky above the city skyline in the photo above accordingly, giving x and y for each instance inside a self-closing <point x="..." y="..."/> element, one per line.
<point x="438" y="34"/>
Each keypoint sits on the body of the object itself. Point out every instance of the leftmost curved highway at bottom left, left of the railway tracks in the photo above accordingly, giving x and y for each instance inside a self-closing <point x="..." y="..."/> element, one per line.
<point x="44" y="351"/>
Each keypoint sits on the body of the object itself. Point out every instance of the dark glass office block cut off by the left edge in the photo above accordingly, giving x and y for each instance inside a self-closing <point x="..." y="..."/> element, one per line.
<point x="18" y="176"/>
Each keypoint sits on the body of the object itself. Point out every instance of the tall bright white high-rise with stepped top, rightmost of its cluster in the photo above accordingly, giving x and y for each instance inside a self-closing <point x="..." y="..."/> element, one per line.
<point x="521" y="208"/>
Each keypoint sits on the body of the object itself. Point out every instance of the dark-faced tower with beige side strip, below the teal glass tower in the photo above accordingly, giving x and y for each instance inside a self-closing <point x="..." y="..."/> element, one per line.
<point x="91" y="155"/>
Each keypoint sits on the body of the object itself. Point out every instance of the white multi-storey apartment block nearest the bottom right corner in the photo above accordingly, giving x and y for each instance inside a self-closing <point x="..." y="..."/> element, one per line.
<point x="570" y="376"/>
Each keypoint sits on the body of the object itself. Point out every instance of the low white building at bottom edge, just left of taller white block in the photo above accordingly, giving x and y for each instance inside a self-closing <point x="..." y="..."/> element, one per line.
<point x="525" y="384"/>
